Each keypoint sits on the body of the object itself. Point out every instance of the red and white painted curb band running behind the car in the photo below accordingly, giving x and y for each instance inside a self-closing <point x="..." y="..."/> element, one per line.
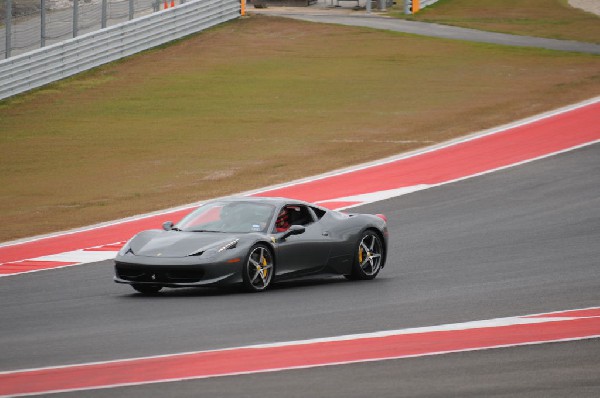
<point x="507" y="146"/>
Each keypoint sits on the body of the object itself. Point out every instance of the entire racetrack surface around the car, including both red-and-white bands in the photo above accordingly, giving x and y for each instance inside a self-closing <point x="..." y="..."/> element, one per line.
<point x="482" y="274"/>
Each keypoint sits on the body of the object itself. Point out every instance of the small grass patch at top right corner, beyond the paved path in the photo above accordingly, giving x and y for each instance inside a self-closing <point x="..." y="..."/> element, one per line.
<point x="544" y="18"/>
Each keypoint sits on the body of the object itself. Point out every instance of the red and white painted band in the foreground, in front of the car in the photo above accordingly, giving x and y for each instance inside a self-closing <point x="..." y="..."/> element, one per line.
<point x="561" y="326"/>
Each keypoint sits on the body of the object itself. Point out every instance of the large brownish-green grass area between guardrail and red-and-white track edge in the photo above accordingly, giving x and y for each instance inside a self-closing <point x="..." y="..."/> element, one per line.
<point x="254" y="102"/>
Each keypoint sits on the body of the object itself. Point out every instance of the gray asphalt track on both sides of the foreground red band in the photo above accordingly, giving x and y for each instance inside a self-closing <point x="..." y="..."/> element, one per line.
<point x="518" y="241"/>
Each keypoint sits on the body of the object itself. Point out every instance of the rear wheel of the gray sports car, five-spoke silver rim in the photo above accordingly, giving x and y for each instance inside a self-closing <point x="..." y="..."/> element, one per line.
<point x="368" y="257"/>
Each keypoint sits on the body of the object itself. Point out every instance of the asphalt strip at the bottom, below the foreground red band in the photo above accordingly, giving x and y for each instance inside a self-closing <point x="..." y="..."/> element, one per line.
<point x="552" y="370"/>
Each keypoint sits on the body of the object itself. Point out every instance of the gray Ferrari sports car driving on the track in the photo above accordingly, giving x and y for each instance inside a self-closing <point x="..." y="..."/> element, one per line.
<point x="253" y="242"/>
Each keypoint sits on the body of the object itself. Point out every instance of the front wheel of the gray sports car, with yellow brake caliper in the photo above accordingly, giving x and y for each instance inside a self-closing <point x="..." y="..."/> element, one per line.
<point x="259" y="268"/>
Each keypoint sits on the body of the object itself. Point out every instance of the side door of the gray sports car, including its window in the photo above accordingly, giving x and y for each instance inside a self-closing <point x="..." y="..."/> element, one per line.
<point x="304" y="253"/>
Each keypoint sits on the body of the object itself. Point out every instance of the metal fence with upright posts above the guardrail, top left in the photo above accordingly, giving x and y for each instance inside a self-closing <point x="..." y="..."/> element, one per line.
<point x="26" y="25"/>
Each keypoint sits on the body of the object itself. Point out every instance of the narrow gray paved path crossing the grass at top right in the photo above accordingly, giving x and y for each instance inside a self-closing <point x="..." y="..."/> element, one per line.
<point x="430" y="29"/>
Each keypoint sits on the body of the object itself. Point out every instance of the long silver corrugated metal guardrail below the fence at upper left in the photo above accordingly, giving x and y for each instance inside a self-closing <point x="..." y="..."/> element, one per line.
<point x="49" y="64"/>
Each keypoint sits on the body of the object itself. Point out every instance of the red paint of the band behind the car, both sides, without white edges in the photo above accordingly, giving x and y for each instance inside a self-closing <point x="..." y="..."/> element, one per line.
<point x="531" y="140"/>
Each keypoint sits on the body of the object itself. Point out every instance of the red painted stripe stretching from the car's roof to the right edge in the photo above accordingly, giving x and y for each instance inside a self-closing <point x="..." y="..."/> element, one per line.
<point x="486" y="153"/>
